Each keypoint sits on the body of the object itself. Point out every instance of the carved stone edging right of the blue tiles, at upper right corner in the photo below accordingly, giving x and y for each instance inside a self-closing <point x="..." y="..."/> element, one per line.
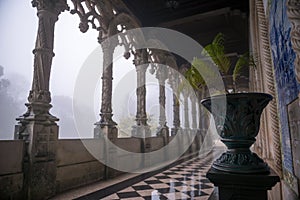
<point x="293" y="12"/>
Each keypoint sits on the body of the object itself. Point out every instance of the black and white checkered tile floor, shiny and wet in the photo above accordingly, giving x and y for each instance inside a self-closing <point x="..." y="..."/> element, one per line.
<point x="184" y="181"/>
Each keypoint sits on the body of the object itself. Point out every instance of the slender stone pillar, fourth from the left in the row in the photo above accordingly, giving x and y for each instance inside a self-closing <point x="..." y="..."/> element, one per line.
<point x="163" y="129"/>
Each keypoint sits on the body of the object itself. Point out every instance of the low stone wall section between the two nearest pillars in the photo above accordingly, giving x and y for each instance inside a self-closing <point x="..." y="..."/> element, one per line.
<point x="75" y="165"/>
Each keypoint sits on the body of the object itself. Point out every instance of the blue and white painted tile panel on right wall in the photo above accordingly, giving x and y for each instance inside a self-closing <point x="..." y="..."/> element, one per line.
<point x="283" y="59"/>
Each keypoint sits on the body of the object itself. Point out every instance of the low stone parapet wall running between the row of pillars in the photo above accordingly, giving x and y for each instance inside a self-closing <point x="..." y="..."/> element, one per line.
<point x="75" y="164"/>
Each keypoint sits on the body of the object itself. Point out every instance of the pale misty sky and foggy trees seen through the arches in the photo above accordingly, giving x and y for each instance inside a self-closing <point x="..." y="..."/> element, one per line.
<point x="18" y="22"/>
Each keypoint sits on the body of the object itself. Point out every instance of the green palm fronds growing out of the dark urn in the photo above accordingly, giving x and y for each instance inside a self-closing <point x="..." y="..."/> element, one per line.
<point x="216" y="51"/>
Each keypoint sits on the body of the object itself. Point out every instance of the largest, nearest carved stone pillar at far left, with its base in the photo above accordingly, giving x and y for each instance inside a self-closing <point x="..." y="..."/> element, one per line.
<point x="37" y="126"/>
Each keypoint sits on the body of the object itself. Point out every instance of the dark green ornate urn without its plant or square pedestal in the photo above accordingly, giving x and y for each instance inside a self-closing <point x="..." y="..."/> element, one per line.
<point x="237" y="119"/>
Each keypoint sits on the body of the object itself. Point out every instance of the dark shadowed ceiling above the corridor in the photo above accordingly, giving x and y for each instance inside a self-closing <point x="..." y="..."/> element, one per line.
<point x="199" y="19"/>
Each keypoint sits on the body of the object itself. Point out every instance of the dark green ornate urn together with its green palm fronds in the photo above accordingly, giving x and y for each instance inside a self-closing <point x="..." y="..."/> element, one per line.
<point x="236" y="115"/>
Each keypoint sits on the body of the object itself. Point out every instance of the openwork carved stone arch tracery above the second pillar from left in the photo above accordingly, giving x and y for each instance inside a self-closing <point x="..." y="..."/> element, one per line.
<point x="105" y="17"/>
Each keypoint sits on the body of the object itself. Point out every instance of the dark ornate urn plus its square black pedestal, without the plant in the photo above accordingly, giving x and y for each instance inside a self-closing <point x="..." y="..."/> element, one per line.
<point x="239" y="173"/>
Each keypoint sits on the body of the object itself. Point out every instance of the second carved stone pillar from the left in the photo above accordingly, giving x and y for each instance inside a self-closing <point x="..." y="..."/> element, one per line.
<point x="106" y="125"/>
